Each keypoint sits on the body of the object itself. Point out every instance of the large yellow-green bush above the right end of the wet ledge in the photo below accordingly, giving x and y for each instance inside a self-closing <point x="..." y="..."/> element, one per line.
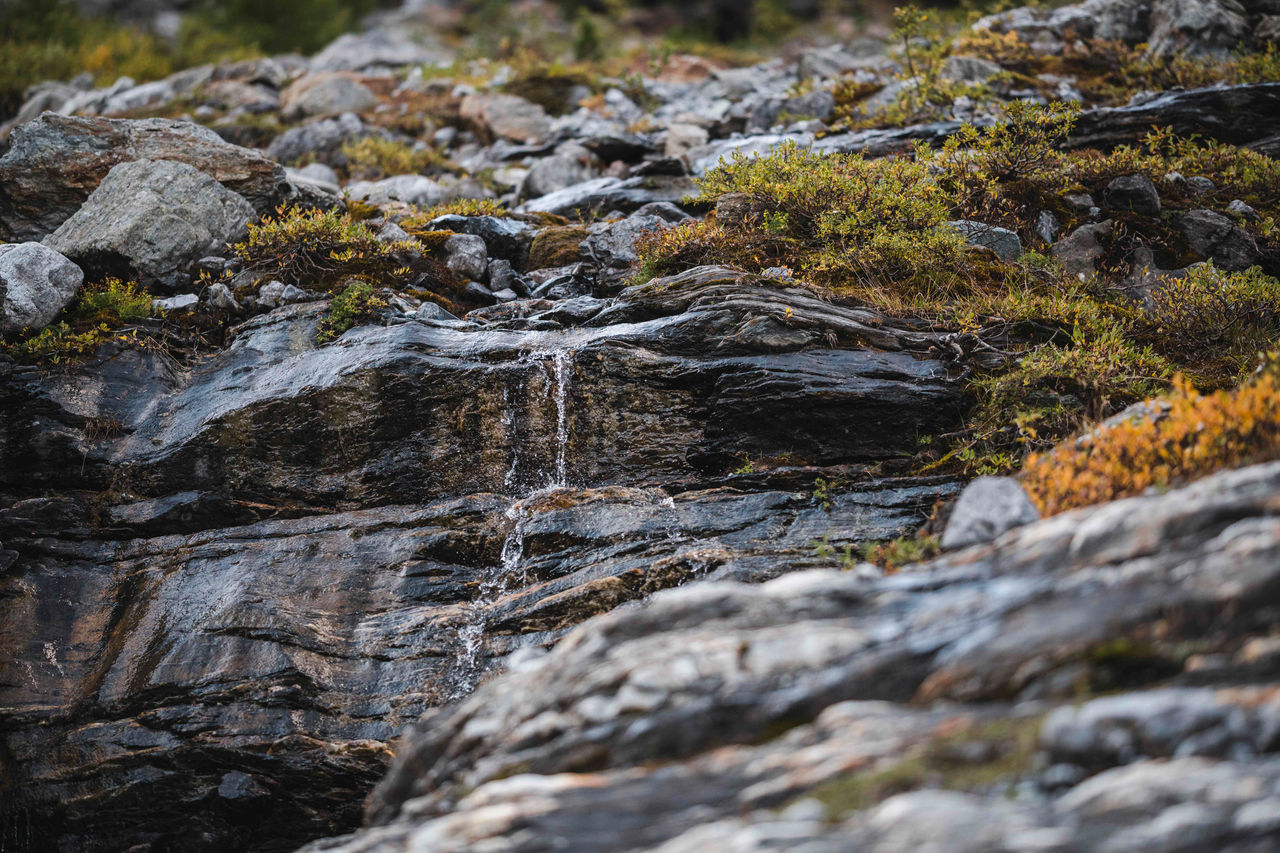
<point x="840" y="220"/>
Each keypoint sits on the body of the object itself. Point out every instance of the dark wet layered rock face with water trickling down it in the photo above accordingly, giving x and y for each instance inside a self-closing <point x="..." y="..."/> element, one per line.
<point x="253" y="576"/>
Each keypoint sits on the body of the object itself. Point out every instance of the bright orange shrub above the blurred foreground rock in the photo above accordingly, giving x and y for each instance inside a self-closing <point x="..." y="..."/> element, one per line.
<point x="1195" y="436"/>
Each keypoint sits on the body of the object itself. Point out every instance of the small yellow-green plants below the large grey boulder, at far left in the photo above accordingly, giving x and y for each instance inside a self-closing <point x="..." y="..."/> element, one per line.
<point x="99" y="314"/>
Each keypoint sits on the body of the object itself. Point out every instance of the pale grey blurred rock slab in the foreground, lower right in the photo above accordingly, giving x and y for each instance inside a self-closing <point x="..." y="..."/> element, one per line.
<point x="661" y="715"/>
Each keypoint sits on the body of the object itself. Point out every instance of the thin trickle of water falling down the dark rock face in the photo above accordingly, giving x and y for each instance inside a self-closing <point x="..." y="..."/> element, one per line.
<point x="509" y="574"/>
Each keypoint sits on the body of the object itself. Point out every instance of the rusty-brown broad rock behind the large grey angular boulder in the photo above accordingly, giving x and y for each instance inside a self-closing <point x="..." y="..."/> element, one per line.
<point x="56" y="162"/>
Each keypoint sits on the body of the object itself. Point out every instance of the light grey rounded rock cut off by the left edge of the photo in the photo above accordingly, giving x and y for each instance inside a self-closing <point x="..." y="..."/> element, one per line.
<point x="36" y="284"/>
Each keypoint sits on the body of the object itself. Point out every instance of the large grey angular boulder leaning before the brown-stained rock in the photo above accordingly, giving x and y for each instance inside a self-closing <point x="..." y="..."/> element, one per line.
<point x="152" y="221"/>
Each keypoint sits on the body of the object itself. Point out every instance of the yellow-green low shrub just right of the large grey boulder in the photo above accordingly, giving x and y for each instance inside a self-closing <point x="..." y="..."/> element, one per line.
<point x="319" y="249"/>
